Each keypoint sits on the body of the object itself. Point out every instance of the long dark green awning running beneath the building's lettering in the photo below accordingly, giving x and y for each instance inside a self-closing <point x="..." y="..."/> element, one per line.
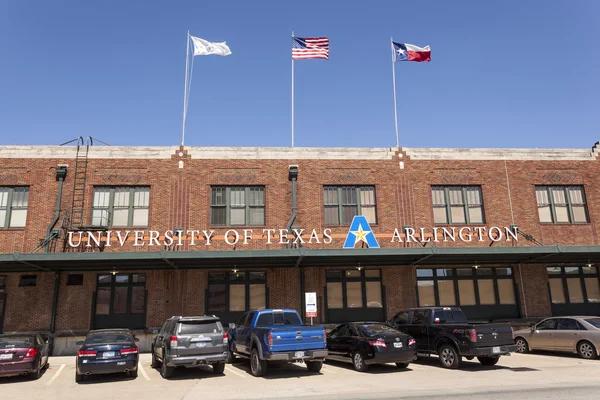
<point x="100" y="261"/>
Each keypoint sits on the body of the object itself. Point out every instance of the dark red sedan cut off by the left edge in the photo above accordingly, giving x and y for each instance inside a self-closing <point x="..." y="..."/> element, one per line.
<point x="23" y="354"/>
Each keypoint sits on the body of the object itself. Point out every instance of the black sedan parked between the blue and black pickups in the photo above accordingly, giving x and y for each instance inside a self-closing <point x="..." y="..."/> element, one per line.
<point x="366" y="343"/>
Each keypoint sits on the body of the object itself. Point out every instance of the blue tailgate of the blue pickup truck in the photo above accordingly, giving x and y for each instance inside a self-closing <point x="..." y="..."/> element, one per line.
<point x="298" y="337"/>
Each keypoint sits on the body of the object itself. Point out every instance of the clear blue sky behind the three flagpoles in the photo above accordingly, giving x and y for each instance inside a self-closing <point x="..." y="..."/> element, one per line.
<point x="503" y="74"/>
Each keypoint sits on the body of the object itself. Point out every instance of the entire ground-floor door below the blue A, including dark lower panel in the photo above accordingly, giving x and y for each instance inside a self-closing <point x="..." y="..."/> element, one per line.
<point x="354" y="295"/>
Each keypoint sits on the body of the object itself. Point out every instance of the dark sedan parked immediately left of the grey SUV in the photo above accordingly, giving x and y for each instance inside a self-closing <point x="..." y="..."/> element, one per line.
<point x="107" y="351"/>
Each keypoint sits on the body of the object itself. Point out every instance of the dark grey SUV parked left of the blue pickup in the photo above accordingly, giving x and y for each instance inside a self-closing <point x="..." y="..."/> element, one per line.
<point x="190" y="342"/>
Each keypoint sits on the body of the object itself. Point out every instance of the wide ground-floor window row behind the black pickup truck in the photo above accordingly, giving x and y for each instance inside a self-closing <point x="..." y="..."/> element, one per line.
<point x="465" y="287"/>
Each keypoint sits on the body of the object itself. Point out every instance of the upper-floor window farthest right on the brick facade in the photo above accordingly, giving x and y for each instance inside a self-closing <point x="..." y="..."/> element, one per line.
<point x="561" y="204"/>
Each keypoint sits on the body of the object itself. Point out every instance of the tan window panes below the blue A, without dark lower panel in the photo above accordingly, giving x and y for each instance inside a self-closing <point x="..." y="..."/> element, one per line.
<point x="354" y="289"/>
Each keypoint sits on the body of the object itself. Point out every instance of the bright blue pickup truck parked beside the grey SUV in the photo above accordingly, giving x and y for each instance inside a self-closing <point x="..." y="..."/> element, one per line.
<point x="266" y="336"/>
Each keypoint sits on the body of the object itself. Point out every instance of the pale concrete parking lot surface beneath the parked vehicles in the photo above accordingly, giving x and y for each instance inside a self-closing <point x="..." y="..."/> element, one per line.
<point x="424" y="378"/>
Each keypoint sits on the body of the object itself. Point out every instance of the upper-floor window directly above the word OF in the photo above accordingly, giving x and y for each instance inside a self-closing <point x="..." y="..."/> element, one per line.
<point x="237" y="206"/>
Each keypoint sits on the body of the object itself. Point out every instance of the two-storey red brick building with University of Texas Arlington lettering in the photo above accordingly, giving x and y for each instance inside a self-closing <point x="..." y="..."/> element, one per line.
<point x="102" y="236"/>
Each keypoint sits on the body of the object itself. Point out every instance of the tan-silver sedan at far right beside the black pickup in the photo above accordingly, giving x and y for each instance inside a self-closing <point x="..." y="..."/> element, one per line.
<point x="572" y="334"/>
